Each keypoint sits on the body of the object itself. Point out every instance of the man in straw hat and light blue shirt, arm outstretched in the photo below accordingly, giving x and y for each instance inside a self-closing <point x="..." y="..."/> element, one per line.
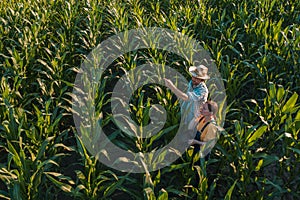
<point x="196" y="95"/>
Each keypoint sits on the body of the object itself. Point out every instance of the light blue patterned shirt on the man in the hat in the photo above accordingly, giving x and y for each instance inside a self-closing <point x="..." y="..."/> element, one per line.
<point x="197" y="96"/>
